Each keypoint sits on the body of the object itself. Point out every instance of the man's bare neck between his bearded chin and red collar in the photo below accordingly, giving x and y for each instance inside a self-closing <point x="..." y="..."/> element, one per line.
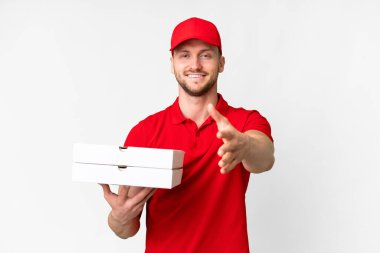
<point x="195" y="108"/>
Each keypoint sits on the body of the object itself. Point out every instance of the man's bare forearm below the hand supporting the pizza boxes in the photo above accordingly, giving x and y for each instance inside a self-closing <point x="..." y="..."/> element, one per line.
<point x="126" y="230"/>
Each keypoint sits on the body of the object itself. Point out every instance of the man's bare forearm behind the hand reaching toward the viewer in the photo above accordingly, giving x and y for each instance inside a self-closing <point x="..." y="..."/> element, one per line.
<point x="259" y="155"/>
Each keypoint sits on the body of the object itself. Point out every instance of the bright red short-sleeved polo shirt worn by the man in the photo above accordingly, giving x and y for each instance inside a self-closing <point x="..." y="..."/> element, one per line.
<point x="206" y="212"/>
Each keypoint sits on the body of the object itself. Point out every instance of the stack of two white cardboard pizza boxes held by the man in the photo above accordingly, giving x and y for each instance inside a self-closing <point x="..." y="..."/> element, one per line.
<point x="146" y="167"/>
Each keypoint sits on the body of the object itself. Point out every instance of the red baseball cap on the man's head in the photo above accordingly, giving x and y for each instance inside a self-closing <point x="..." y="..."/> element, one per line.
<point x="196" y="28"/>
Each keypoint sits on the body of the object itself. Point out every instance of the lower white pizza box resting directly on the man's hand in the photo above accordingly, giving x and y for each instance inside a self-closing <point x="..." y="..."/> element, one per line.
<point x="134" y="176"/>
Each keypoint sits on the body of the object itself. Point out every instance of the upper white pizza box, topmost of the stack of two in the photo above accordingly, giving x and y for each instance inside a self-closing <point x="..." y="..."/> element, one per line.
<point x="128" y="156"/>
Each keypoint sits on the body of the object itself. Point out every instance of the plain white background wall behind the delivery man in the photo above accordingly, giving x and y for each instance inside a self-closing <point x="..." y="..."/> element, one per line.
<point x="87" y="71"/>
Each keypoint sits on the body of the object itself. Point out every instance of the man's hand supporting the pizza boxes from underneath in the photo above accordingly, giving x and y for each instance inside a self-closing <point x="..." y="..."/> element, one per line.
<point x="128" y="203"/>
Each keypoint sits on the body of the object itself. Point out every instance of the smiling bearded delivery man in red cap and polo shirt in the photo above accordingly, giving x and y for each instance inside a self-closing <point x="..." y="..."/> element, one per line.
<point x="222" y="144"/>
